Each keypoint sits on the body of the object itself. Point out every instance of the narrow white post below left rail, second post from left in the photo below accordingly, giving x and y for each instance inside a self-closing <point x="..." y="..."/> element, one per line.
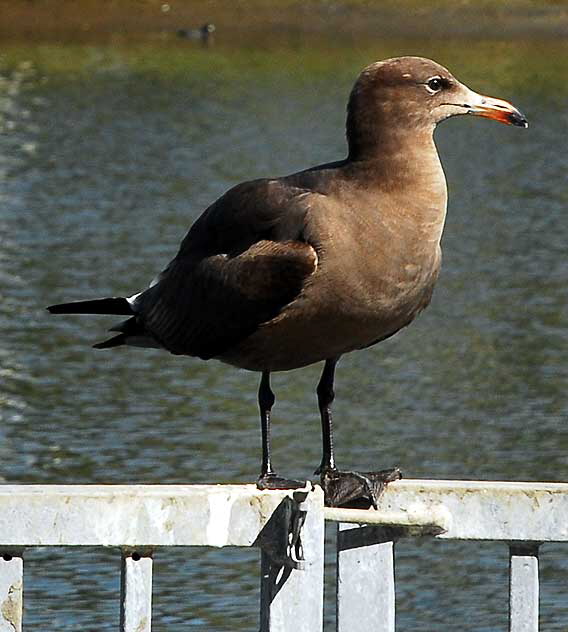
<point x="136" y="592"/>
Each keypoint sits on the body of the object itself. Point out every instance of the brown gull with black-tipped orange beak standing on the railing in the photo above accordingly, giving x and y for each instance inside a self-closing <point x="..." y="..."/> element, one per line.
<point x="281" y="273"/>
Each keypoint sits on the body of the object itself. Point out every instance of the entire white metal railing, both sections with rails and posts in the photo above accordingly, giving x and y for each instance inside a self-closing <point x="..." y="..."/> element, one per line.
<point x="288" y="527"/>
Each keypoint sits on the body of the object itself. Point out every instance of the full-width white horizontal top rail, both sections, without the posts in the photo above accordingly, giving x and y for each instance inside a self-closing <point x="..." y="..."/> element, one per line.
<point x="234" y="515"/>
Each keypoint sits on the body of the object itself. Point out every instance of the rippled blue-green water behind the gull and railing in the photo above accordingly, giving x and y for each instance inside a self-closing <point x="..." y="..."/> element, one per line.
<point x="109" y="151"/>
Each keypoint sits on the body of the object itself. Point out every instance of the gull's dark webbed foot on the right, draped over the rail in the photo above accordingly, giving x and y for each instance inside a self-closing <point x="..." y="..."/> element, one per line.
<point x="357" y="490"/>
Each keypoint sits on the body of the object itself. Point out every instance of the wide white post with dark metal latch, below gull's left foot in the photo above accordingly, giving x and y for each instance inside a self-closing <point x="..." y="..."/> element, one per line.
<point x="291" y="588"/>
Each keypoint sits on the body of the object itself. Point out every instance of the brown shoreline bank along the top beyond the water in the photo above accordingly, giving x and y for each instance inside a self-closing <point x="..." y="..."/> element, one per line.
<point x="236" y="20"/>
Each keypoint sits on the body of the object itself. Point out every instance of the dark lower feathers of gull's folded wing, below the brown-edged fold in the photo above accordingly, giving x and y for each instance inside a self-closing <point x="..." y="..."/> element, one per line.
<point x="205" y="307"/>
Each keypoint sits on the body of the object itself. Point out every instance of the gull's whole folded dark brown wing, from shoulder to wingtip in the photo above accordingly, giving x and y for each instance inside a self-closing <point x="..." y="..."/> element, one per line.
<point x="239" y="266"/>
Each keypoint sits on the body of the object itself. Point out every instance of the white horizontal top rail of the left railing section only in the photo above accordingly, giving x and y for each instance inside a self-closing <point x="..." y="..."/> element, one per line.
<point x="136" y="516"/>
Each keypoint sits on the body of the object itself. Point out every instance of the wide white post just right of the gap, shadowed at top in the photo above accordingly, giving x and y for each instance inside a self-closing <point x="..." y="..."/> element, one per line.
<point x="365" y="578"/>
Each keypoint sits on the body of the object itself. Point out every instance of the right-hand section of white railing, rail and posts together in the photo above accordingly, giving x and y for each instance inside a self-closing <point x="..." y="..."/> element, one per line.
<point x="524" y="515"/>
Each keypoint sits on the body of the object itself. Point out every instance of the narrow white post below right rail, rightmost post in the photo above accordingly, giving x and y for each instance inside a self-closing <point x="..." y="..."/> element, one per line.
<point x="523" y="587"/>
